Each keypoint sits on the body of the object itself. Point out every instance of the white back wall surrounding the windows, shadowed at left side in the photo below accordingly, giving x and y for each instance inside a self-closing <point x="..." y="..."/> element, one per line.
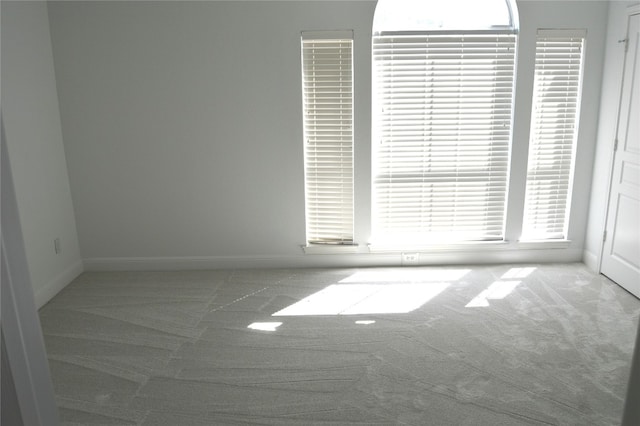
<point x="182" y="125"/>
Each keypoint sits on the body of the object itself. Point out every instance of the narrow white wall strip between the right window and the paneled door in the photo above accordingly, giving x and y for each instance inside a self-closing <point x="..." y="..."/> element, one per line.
<point x="608" y="113"/>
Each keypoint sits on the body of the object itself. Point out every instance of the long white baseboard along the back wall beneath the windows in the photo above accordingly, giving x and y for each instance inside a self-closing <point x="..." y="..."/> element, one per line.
<point x="329" y="260"/>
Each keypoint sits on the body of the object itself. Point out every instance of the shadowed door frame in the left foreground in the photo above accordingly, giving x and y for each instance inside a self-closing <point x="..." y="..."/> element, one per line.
<point x="22" y="336"/>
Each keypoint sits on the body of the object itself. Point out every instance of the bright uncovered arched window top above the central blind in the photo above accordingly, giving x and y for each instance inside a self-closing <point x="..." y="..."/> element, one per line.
<point x="445" y="15"/>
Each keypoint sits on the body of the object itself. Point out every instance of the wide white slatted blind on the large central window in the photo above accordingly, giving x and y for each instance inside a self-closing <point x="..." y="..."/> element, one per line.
<point x="442" y="131"/>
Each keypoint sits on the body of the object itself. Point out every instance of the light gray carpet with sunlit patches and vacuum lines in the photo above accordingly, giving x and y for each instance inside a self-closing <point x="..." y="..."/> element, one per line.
<point x="481" y="345"/>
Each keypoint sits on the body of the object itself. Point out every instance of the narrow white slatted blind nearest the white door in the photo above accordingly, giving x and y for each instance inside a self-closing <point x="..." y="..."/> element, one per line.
<point x="554" y="124"/>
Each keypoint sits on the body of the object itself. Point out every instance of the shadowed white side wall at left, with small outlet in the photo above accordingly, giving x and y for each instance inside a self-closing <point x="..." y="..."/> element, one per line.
<point x="35" y="148"/>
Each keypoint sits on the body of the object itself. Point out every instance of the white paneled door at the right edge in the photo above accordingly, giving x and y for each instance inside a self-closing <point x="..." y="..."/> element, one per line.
<point x="621" y="252"/>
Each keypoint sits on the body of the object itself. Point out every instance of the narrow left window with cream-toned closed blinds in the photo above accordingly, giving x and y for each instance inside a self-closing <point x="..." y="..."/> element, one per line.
<point x="327" y="87"/>
